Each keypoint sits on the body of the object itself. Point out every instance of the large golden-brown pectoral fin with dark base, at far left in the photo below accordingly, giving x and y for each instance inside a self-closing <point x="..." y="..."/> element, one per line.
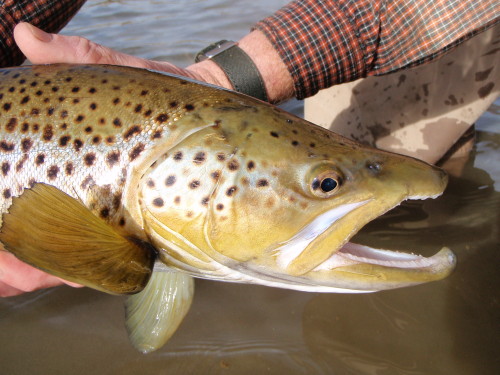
<point x="56" y="233"/>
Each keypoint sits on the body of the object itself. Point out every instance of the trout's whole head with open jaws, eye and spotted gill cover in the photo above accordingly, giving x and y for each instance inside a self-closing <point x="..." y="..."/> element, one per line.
<point x="262" y="196"/>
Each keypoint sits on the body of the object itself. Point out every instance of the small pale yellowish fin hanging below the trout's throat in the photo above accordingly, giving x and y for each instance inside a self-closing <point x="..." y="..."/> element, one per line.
<point x="154" y="314"/>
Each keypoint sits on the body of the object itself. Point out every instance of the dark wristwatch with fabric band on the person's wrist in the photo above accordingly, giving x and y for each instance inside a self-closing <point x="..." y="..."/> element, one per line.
<point x="238" y="66"/>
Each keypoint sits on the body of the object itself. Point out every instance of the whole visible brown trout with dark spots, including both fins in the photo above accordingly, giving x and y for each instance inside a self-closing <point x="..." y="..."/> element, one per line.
<point x="127" y="181"/>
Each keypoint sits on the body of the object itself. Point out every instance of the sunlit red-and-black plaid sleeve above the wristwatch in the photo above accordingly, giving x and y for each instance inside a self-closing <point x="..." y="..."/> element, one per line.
<point x="326" y="42"/>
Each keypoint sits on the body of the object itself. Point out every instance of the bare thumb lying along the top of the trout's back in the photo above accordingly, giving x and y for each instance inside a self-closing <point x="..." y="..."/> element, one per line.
<point x="44" y="48"/>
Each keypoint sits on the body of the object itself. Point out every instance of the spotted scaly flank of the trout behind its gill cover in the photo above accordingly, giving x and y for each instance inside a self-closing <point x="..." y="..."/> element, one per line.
<point x="54" y="131"/>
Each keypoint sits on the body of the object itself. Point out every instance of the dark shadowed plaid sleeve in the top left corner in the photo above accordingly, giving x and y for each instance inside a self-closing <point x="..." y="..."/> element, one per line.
<point x="49" y="15"/>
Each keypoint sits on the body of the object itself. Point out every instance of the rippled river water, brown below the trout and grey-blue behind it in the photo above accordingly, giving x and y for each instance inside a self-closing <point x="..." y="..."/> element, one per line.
<point x="447" y="327"/>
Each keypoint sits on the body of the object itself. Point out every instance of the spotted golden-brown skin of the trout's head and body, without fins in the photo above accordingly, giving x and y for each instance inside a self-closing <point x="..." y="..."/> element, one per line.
<point x="219" y="183"/>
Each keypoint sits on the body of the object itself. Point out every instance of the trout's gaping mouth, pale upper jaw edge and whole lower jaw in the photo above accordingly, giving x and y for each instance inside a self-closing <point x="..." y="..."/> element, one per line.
<point x="350" y="267"/>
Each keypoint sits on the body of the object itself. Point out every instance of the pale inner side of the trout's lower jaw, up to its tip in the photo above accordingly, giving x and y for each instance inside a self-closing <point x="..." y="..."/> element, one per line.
<point x="354" y="254"/>
